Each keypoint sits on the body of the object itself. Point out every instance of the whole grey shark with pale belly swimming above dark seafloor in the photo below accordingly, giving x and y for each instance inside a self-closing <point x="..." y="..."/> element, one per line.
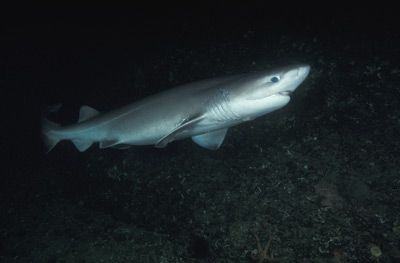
<point x="202" y="110"/>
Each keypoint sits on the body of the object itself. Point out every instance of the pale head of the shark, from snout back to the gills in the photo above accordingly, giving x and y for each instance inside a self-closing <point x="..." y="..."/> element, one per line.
<point x="264" y="92"/>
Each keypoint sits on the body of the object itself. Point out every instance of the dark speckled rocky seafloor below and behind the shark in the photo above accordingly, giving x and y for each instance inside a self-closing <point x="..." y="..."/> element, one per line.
<point x="319" y="179"/>
